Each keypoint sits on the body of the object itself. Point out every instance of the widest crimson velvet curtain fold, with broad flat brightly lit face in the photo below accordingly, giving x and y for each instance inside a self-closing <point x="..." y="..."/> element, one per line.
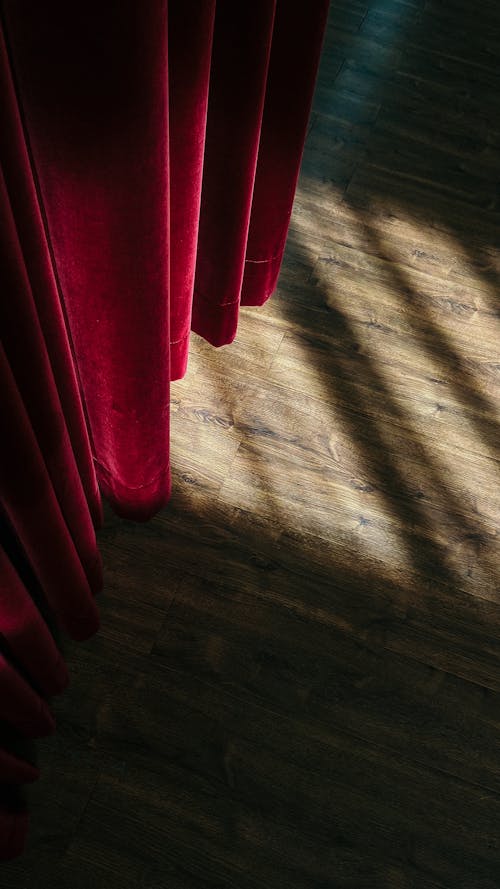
<point x="92" y="80"/>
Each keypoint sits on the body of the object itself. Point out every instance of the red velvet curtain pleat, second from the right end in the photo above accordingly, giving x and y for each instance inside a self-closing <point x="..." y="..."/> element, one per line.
<point x="240" y="58"/>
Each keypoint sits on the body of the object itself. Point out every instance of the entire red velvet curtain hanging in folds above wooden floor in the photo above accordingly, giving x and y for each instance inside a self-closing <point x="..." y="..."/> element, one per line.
<point x="149" y="158"/>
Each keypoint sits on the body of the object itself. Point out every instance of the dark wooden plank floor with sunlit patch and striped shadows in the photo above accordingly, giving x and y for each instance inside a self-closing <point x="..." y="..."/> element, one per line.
<point x="297" y="681"/>
